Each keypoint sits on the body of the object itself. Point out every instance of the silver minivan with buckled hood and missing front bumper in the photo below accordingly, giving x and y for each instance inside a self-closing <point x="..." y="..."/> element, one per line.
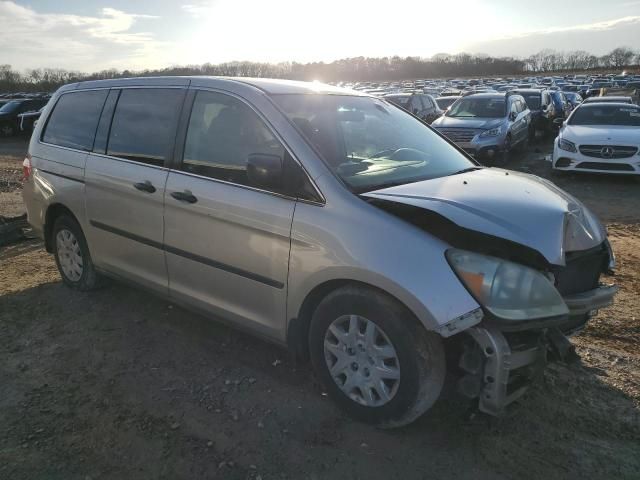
<point x="323" y="219"/>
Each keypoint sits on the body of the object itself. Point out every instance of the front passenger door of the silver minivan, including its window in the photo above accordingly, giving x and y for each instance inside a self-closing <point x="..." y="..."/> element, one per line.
<point x="227" y="240"/>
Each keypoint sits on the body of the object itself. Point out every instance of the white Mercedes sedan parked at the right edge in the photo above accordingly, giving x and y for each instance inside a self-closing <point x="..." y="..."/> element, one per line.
<point x="600" y="137"/>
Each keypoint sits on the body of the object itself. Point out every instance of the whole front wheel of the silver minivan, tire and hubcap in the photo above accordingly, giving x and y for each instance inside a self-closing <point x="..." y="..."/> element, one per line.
<point x="374" y="358"/>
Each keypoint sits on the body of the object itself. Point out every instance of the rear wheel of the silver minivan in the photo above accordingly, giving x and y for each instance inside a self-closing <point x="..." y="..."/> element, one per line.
<point x="72" y="255"/>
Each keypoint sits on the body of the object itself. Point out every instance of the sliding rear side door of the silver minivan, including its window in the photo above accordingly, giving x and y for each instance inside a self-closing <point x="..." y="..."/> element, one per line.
<point x="125" y="180"/>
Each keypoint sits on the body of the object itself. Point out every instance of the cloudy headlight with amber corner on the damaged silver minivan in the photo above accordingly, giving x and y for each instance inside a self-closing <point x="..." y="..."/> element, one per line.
<point x="508" y="290"/>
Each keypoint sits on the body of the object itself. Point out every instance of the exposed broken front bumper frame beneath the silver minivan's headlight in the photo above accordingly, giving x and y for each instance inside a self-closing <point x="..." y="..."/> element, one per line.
<point x="499" y="366"/>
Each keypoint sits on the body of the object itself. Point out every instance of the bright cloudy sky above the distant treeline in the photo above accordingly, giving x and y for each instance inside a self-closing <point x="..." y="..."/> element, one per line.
<point x="91" y="35"/>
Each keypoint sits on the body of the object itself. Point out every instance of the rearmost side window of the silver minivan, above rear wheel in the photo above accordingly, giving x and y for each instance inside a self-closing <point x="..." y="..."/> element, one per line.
<point x="74" y="119"/>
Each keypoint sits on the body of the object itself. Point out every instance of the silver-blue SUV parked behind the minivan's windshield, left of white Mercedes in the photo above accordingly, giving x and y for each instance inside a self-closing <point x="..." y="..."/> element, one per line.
<point x="488" y="125"/>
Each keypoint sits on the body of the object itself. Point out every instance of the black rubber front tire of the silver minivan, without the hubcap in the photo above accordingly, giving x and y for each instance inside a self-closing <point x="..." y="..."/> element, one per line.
<point x="420" y="355"/>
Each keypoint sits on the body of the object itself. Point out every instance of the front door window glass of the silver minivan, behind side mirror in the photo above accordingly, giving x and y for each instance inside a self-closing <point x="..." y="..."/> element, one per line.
<point x="223" y="132"/>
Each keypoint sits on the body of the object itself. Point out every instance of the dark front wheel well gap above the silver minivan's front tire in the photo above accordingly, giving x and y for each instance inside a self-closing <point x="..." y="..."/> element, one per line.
<point x="298" y="328"/>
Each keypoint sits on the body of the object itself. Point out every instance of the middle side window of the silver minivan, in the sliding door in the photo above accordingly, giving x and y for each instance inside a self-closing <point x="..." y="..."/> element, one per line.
<point x="144" y="124"/>
